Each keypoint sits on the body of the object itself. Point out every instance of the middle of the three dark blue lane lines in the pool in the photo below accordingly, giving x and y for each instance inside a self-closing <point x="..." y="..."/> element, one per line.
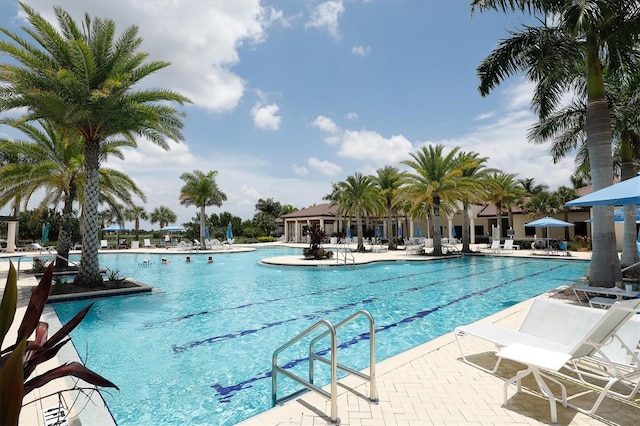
<point x="216" y="339"/>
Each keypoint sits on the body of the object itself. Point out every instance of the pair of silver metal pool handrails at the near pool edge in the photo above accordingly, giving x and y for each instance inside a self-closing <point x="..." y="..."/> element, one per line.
<point x="333" y="362"/>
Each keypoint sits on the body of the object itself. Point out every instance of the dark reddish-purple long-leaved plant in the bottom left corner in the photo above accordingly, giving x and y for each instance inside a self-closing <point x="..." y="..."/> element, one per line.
<point x="18" y="361"/>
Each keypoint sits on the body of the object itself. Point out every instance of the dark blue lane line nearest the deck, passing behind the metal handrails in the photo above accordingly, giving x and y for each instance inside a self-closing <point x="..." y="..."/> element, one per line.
<point x="225" y="393"/>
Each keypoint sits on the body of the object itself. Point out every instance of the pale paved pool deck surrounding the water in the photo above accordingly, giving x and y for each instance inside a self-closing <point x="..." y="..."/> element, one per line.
<point x="427" y="385"/>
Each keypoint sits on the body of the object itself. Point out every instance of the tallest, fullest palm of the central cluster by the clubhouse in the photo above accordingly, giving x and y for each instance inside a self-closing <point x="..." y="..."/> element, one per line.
<point x="435" y="182"/>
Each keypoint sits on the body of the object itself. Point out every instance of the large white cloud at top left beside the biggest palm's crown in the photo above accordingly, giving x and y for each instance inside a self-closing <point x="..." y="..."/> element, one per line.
<point x="199" y="39"/>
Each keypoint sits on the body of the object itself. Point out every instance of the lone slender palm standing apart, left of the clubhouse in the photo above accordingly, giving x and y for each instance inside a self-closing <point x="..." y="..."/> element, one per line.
<point x="201" y="190"/>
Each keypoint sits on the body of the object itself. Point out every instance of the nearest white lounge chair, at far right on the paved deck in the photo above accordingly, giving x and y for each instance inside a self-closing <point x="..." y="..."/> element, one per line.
<point x="551" y="356"/>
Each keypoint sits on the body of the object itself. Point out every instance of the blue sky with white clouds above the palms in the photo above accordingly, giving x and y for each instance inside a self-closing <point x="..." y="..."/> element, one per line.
<point x="290" y="96"/>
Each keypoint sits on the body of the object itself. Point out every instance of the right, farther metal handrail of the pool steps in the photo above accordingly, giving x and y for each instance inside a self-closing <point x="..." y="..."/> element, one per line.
<point x="372" y="353"/>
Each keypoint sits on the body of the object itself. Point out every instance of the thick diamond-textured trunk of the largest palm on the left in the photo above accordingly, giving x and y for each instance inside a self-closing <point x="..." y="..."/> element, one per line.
<point x="89" y="272"/>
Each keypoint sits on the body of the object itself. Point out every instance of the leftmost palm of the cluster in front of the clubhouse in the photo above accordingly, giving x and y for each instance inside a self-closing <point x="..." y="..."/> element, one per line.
<point x="356" y="196"/>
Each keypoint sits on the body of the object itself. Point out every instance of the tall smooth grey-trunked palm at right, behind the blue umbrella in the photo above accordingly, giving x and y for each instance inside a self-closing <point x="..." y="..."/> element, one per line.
<point x="585" y="40"/>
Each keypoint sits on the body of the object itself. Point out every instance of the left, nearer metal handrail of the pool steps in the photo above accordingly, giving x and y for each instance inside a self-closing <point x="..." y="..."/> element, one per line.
<point x="333" y="395"/>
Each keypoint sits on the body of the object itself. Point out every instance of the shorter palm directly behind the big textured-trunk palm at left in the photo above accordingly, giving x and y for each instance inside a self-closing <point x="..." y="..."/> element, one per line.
<point x="54" y="164"/>
